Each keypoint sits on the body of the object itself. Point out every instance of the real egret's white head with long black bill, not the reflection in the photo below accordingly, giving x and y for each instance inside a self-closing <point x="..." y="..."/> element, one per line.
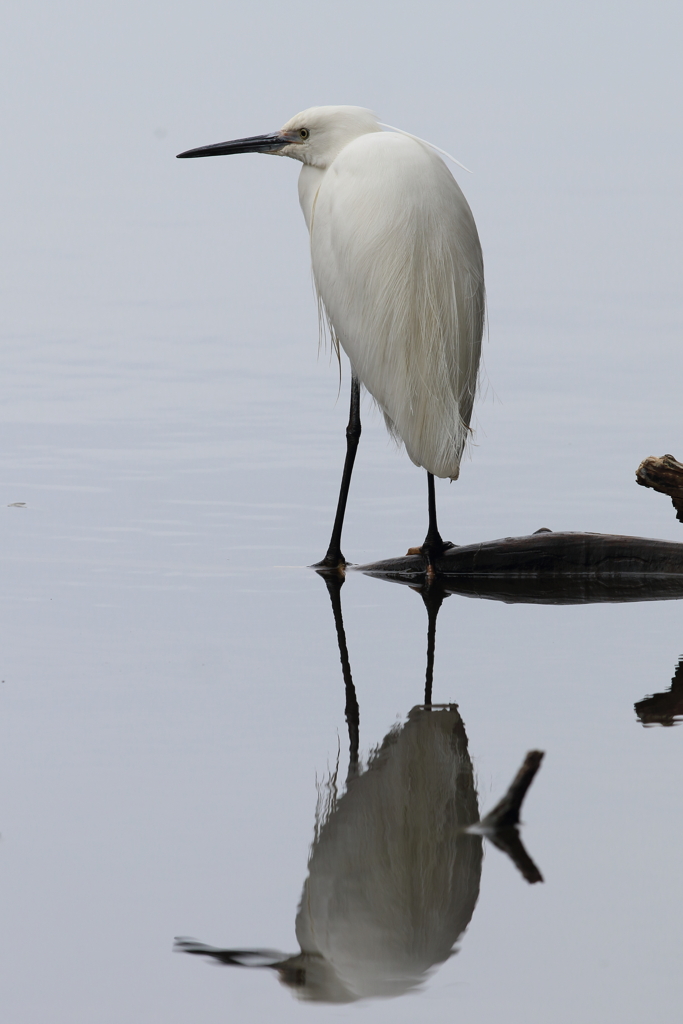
<point x="315" y="137"/>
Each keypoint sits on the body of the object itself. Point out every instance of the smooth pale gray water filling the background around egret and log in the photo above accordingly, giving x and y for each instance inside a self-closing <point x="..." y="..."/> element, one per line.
<point x="173" y="696"/>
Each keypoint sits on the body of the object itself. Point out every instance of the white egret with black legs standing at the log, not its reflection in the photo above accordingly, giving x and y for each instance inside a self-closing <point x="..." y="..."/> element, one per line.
<point x="399" y="271"/>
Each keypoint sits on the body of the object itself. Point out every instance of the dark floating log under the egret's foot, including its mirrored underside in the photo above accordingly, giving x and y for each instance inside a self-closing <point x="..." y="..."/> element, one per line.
<point x="551" y="569"/>
